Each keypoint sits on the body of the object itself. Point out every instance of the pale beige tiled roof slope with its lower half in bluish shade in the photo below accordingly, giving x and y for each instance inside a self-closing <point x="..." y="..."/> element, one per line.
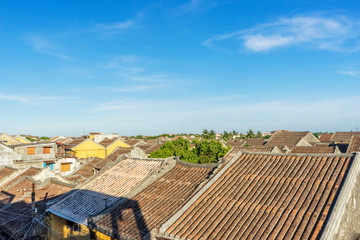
<point x="104" y="190"/>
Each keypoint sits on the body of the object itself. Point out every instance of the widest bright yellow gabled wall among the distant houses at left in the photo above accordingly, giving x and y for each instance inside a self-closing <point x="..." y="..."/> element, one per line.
<point x="89" y="149"/>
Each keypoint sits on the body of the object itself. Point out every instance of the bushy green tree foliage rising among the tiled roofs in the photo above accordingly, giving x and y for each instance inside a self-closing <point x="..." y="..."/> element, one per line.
<point x="203" y="152"/>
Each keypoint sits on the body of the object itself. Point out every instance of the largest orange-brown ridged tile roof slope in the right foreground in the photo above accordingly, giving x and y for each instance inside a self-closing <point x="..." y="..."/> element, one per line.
<point x="266" y="197"/>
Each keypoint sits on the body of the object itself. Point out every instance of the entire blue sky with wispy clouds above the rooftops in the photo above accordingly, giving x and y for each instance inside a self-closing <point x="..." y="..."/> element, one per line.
<point x="142" y="67"/>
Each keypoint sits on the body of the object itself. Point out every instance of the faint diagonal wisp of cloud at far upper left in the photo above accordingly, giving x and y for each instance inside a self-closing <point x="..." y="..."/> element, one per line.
<point x="45" y="46"/>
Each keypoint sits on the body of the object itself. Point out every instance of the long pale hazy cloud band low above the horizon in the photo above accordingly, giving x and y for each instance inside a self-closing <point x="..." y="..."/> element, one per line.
<point x="232" y="112"/>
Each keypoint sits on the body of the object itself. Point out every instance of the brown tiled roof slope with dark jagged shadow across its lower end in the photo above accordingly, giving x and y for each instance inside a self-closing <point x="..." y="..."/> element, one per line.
<point x="155" y="204"/>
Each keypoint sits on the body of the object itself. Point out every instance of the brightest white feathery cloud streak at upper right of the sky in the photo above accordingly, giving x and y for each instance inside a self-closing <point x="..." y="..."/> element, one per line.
<point x="336" y="33"/>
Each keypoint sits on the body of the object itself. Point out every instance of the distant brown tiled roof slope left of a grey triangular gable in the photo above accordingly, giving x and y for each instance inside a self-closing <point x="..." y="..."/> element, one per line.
<point x="289" y="139"/>
